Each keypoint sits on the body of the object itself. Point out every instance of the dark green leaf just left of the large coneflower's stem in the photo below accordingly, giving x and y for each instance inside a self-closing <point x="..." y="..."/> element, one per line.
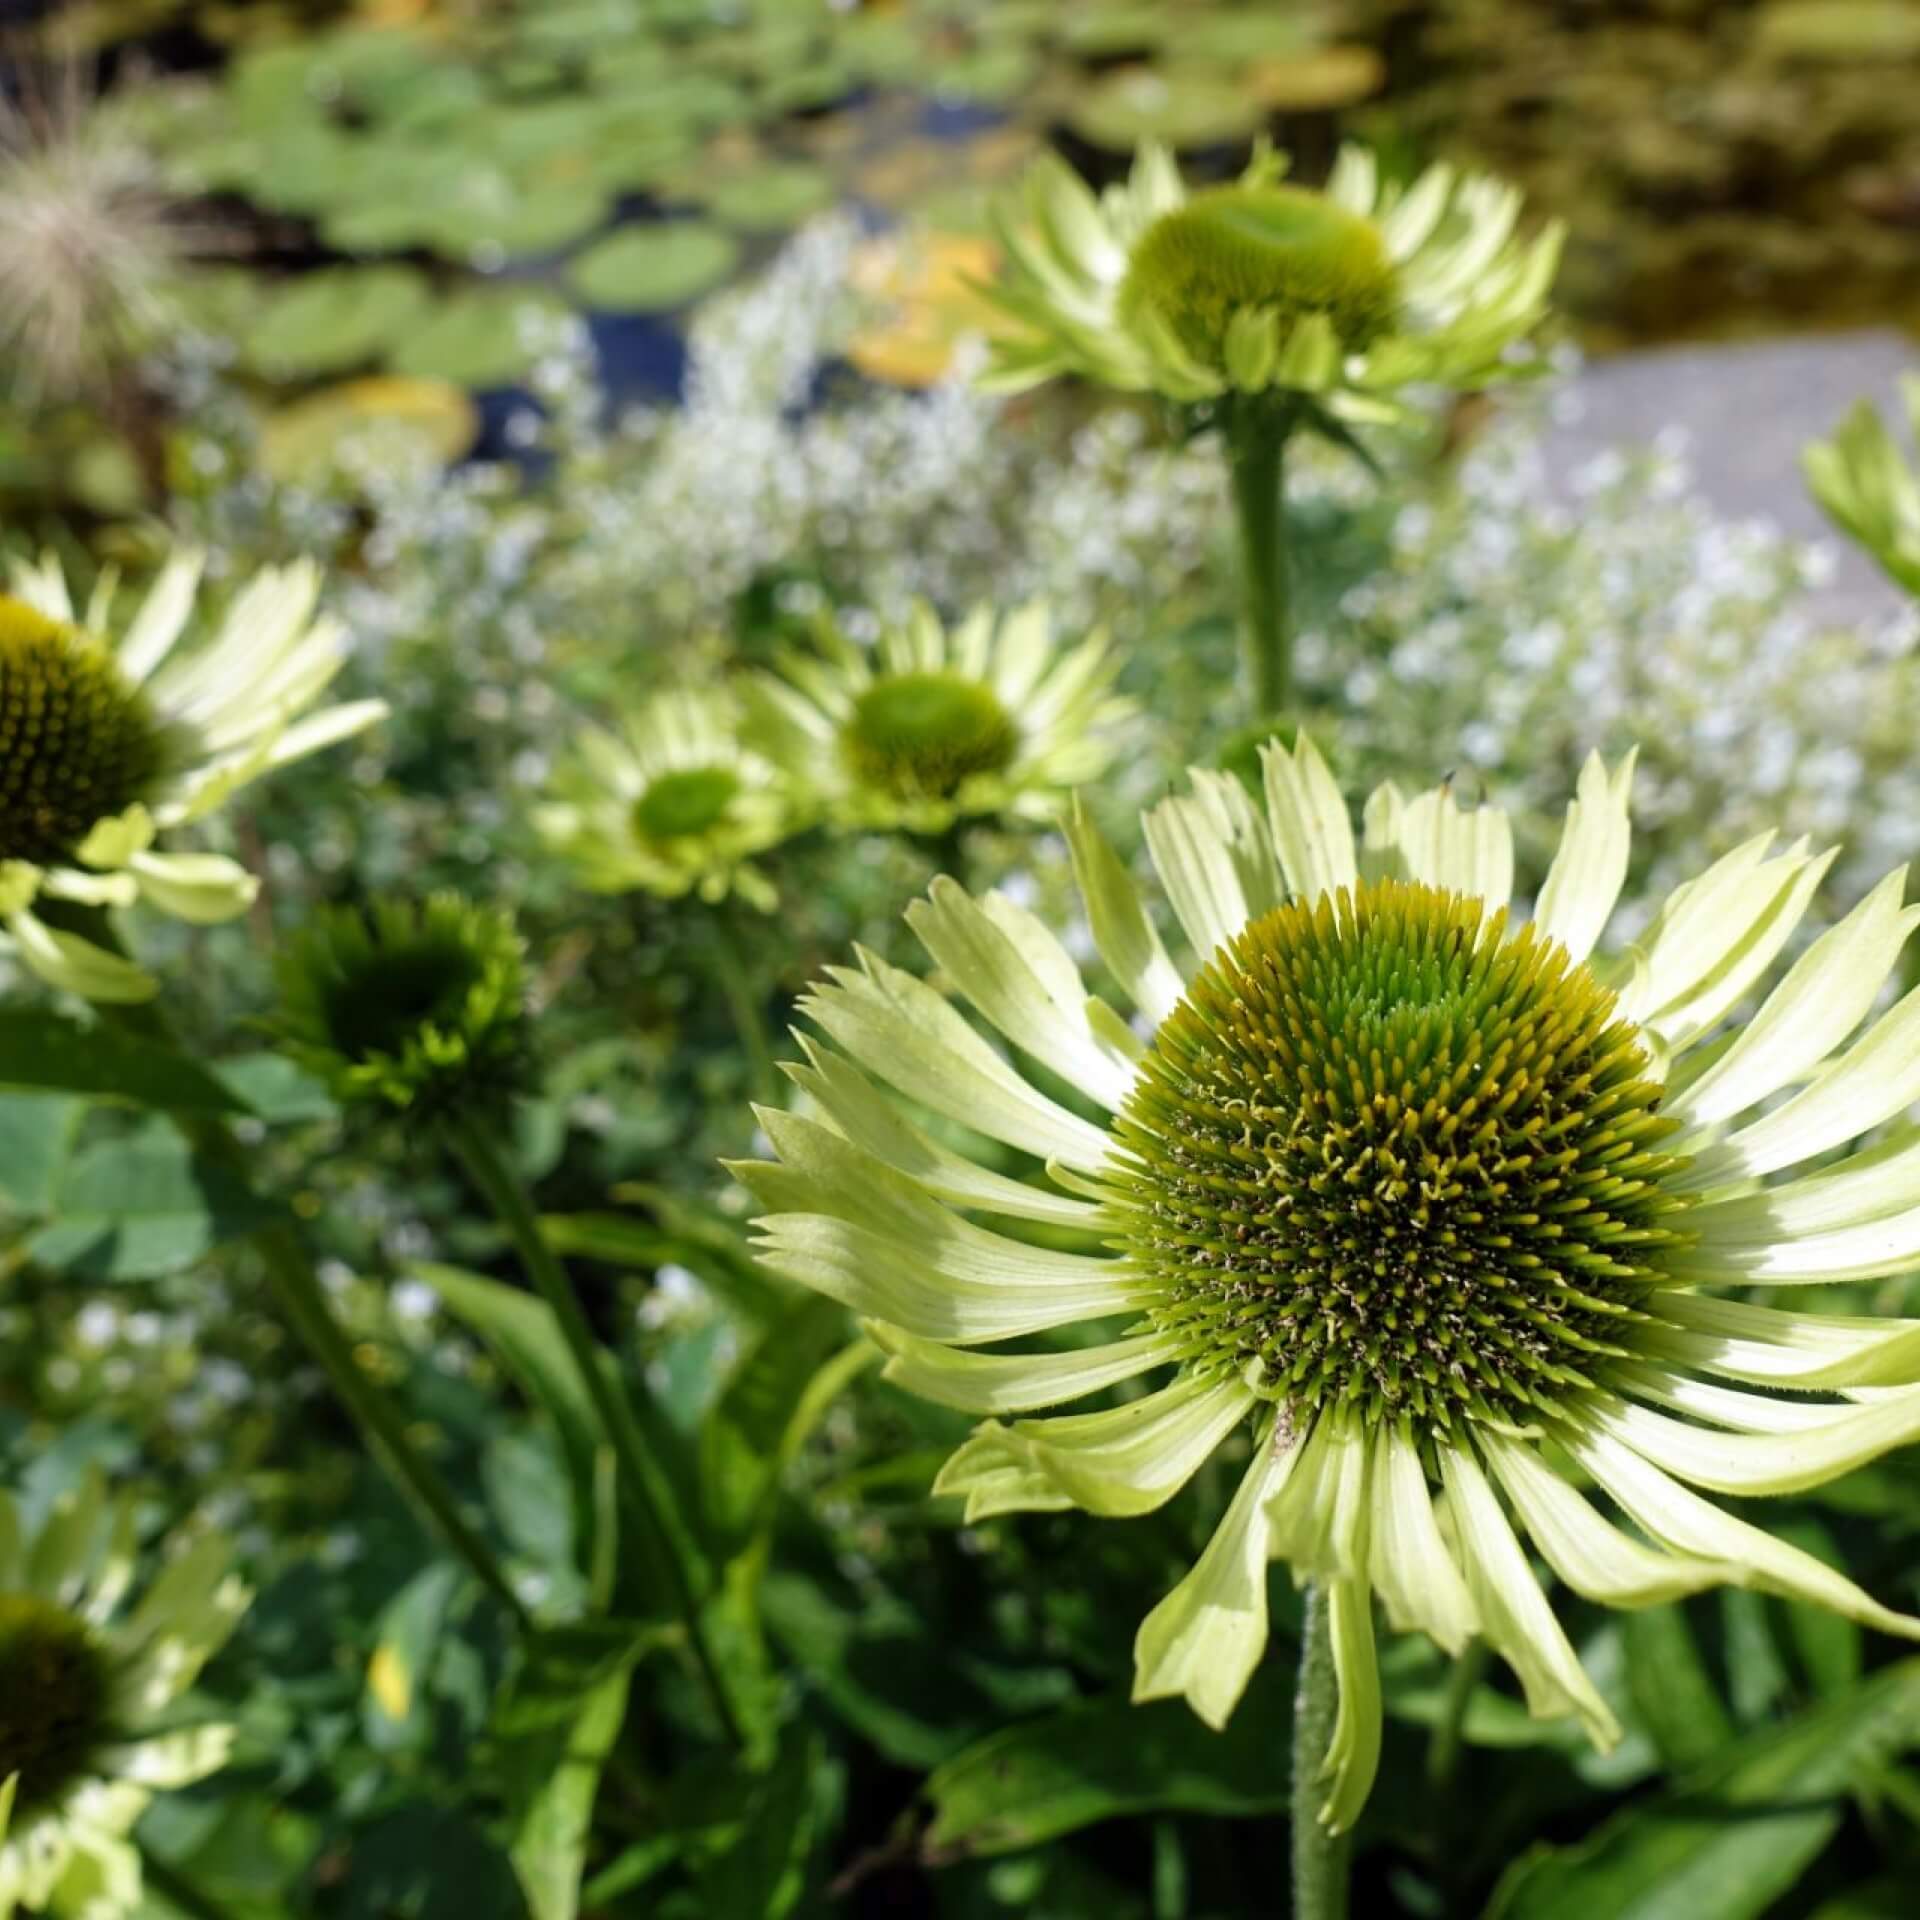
<point x="1105" y="1760"/>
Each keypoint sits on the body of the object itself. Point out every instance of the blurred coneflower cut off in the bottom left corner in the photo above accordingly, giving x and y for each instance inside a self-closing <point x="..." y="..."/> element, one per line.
<point x="85" y="1692"/>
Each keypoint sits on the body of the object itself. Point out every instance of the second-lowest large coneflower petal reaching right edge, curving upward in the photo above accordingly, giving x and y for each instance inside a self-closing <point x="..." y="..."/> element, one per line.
<point x="1764" y="1462"/>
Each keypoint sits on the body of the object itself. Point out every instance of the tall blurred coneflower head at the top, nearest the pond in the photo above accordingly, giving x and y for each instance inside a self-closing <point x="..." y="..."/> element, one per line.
<point x="1351" y="291"/>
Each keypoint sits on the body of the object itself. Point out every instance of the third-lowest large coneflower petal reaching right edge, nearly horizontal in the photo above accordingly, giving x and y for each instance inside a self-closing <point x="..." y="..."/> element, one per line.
<point x="1769" y="1347"/>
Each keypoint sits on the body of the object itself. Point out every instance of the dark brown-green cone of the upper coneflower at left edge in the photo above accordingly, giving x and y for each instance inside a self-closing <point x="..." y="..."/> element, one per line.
<point x="78" y="740"/>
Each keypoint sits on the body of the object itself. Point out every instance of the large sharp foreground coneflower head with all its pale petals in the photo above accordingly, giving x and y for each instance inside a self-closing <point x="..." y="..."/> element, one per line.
<point x="1428" y="1201"/>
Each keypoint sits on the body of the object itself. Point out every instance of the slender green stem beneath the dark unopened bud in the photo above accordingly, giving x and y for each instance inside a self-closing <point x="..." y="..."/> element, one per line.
<point x="640" y="1477"/>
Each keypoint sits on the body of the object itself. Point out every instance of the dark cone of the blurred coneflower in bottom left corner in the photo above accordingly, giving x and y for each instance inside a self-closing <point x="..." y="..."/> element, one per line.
<point x="53" y="1696"/>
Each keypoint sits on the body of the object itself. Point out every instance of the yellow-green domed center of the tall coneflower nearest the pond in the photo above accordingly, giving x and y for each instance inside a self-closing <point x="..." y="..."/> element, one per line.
<point x="1278" y="249"/>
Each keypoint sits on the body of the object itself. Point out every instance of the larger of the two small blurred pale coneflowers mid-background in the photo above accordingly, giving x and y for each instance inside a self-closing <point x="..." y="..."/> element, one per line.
<point x="932" y="727"/>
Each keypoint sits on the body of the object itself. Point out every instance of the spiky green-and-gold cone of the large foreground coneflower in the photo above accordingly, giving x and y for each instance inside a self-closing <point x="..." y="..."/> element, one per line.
<point x="1389" y="1155"/>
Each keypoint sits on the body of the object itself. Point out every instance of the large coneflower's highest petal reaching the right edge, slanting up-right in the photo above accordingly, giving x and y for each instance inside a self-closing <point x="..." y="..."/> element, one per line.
<point x="1829" y="992"/>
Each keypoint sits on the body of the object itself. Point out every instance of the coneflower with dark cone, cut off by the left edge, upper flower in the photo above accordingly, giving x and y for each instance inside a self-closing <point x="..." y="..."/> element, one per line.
<point x="105" y="746"/>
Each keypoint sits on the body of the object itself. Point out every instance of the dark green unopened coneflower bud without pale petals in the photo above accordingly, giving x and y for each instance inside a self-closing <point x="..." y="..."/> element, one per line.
<point x="406" y="1007"/>
